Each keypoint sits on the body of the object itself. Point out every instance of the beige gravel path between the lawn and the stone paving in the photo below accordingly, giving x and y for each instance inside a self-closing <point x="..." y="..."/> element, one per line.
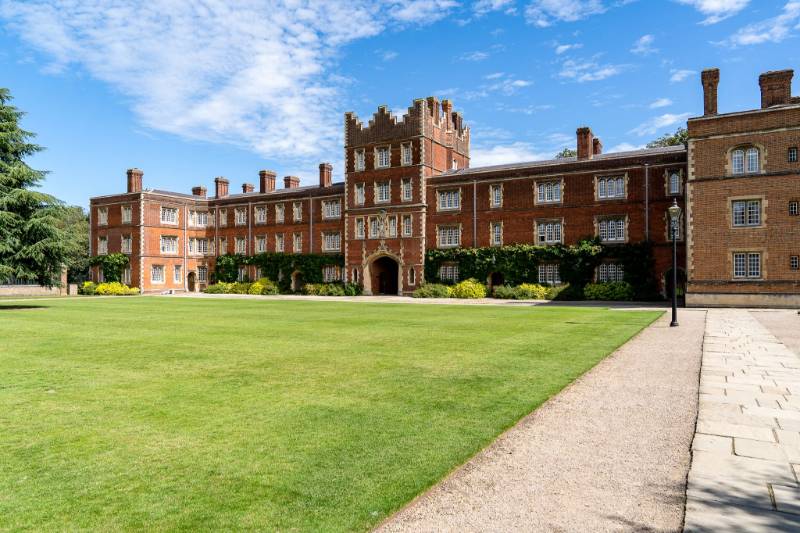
<point x="609" y="453"/>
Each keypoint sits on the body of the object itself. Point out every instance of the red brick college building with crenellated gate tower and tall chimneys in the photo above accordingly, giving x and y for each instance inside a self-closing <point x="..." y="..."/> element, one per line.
<point x="409" y="188"/>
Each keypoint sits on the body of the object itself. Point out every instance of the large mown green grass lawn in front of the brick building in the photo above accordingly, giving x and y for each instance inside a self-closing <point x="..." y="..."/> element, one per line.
<point x="162" y="414"/>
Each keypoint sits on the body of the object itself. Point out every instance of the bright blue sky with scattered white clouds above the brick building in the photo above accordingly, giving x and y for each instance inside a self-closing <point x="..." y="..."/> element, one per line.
<point x="190" y="91"/>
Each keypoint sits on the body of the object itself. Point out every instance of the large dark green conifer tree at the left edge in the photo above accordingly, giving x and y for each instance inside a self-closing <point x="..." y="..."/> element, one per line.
<point x="32" y="246"/>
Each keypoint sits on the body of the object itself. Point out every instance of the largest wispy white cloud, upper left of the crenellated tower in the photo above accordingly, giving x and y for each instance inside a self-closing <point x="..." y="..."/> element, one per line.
<point x="258" y="75"/>
